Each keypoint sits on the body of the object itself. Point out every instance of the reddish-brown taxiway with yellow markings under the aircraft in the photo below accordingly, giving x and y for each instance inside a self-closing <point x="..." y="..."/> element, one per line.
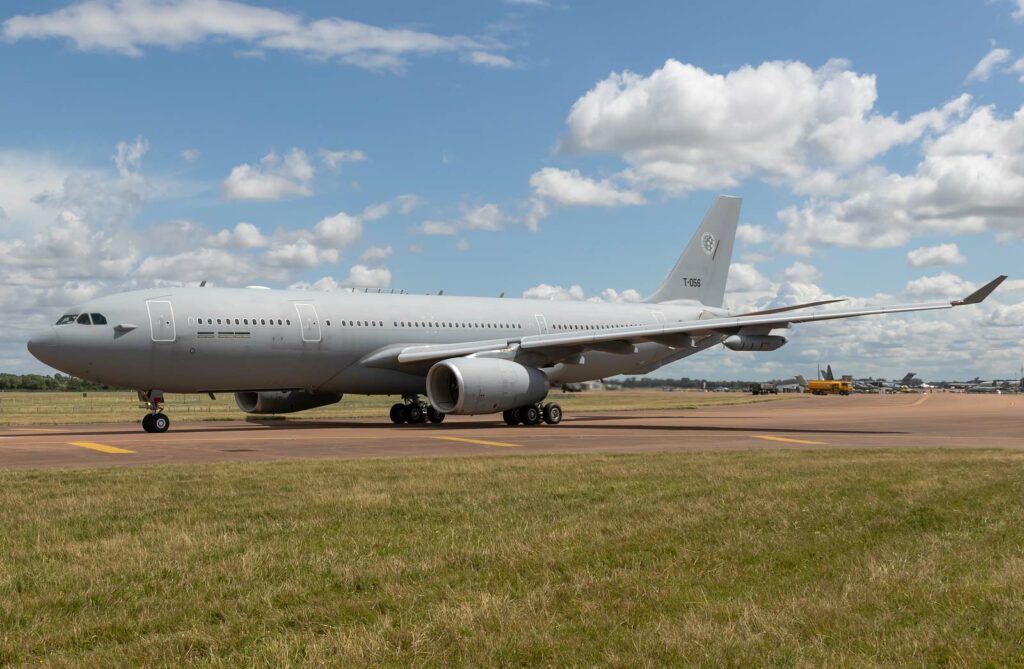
<point x="937" y="421"/>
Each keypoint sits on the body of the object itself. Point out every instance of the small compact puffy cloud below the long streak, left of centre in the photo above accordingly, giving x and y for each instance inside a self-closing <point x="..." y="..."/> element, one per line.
<point x="273" y="179"/>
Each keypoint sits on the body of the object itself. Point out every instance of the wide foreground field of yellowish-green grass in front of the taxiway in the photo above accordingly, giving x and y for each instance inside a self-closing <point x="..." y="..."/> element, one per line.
<point x="717" y="560"/>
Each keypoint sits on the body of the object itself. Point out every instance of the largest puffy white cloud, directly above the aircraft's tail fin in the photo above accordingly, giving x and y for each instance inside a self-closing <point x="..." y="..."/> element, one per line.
<point x="682" y="129"/>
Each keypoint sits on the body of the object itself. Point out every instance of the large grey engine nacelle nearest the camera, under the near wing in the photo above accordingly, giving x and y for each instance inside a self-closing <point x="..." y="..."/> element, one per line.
<point x="484" y="386"/>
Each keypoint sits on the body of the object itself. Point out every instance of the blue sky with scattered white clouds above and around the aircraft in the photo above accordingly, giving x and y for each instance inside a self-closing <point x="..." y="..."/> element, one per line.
<point x="548" y="149"/>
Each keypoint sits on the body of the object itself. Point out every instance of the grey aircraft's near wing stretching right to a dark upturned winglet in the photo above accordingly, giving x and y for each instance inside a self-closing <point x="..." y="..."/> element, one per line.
<point x="673" y="334"/>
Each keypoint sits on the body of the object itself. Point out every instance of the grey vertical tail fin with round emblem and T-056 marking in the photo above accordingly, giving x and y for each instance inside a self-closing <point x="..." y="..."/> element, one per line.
<point x="703" y="270"/>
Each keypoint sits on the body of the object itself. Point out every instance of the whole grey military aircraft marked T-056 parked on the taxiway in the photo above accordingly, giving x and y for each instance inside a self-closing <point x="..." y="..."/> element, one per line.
<point x="282" y="352"/>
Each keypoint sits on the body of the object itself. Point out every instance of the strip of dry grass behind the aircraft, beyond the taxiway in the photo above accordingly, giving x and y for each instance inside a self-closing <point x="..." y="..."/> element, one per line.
<point x="50" y="408"/>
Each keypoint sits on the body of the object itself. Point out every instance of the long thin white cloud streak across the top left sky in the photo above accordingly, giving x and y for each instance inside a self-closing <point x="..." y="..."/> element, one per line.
<point x="127" y="27"/>
